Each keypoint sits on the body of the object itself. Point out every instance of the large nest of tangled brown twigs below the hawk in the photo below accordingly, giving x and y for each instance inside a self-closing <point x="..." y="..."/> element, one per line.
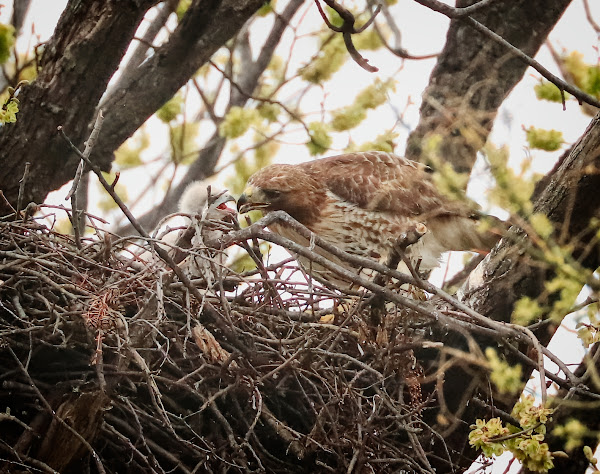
<point x="109" y="365"/>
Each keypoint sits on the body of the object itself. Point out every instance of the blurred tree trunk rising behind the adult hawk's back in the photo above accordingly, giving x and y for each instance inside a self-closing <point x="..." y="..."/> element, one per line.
<point x="474" y="75"/>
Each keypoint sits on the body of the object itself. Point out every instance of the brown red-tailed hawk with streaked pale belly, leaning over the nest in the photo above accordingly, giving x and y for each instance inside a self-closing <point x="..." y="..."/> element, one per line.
<point x="362" y="203"/>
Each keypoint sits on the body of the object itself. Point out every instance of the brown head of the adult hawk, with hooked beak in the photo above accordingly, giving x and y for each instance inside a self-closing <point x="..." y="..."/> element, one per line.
<point x="286" y="188"/>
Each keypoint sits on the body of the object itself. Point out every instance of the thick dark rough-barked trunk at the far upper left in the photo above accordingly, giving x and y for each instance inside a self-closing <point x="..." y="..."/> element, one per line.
<point x="78" y="61"/>
